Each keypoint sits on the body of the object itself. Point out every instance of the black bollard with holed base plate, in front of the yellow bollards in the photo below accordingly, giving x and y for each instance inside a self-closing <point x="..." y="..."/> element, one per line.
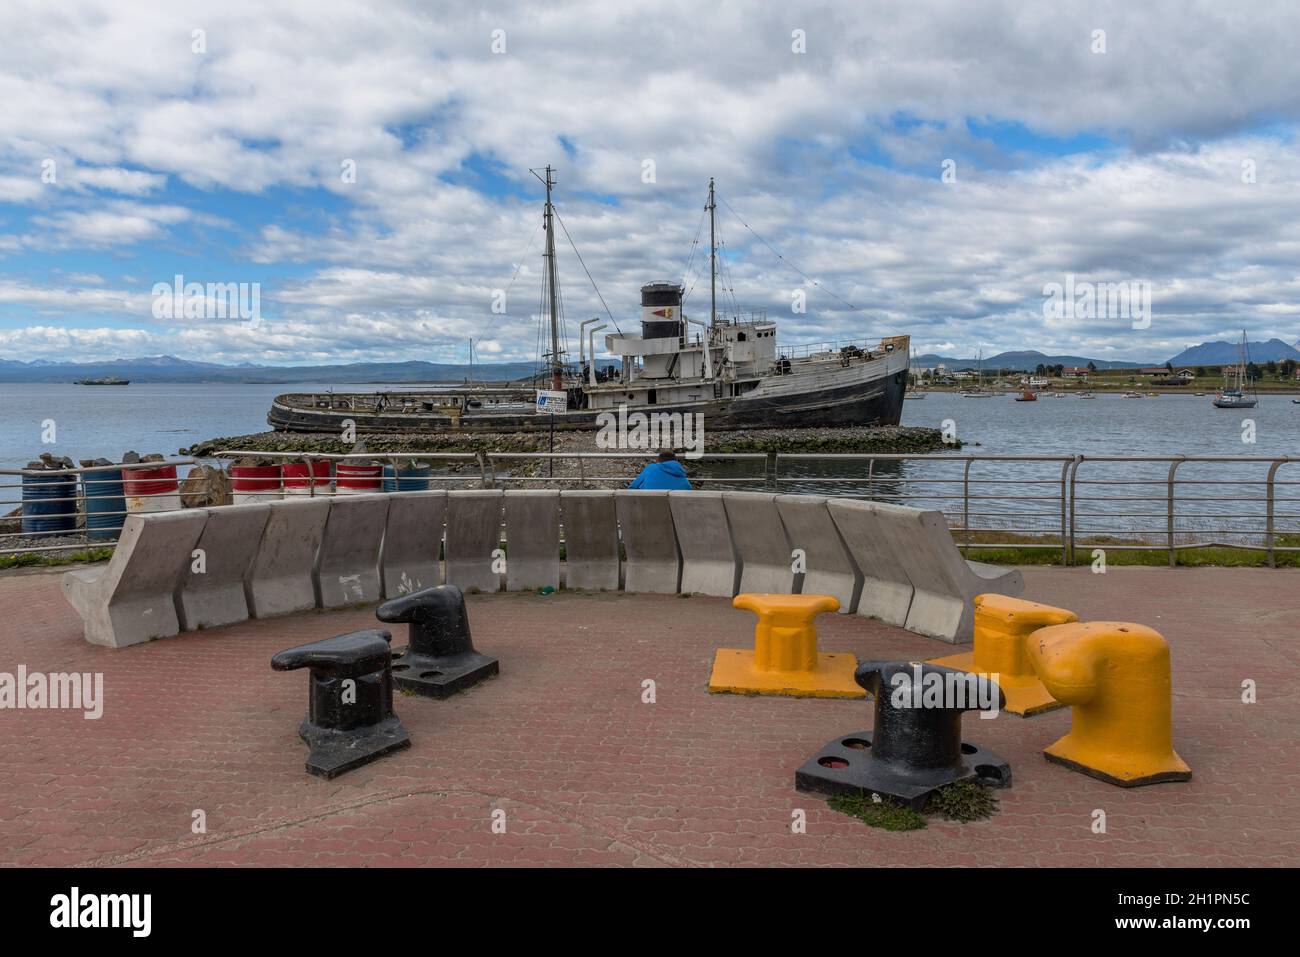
<point x="916" y="746"/>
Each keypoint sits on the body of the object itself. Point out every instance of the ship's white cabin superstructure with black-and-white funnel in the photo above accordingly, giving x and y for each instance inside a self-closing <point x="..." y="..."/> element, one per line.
<point x="681" y="360"/>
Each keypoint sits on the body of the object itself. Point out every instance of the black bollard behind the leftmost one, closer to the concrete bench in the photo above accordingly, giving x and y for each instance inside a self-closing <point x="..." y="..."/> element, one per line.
<point x="440" y="659"/>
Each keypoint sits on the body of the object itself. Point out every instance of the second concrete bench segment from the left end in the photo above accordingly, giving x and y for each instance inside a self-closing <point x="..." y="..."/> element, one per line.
<point x="213" y="591"/>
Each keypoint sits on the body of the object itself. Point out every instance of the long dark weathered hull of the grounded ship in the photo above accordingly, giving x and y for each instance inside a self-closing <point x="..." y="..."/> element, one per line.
<point x="863" y="405"/>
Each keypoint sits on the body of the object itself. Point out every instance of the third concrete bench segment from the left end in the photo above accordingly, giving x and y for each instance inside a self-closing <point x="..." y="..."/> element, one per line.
<point x="281" y="581"/>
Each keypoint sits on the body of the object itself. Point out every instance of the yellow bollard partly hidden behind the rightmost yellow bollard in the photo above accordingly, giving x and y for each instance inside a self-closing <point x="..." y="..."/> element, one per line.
<point x="1003" y="629"/>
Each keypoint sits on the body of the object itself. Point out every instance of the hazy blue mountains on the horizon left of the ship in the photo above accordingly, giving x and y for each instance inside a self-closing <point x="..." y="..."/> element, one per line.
<point x="168" y="369"/>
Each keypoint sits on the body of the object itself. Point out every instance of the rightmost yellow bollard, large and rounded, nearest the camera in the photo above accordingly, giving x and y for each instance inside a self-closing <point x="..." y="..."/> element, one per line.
<point x="1117" y="679"/>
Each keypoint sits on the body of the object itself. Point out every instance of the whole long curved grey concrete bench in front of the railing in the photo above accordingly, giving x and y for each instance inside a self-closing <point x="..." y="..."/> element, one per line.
<point x="889" y="562"/>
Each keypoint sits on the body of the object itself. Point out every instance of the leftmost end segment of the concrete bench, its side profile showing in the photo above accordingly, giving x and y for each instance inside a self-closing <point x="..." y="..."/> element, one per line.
<point x="133" y="597"/>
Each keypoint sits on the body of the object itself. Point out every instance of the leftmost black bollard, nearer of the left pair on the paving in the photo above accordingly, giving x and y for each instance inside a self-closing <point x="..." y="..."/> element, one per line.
<point x="350" y="720"/>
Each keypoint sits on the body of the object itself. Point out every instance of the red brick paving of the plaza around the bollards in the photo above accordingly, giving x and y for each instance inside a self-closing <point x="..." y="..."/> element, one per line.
<point x="587" y="774"/>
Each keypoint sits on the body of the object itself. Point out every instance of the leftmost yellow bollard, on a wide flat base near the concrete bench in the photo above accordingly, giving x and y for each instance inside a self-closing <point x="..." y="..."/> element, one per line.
<point x="786" y="660"/>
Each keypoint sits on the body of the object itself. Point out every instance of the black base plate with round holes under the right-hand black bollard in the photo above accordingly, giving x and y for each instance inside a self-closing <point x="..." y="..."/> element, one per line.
<point x="846" y="767"/>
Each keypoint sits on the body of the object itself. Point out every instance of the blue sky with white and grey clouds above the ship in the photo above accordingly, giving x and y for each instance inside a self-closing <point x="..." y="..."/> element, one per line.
<point x="931" y="164"/>
